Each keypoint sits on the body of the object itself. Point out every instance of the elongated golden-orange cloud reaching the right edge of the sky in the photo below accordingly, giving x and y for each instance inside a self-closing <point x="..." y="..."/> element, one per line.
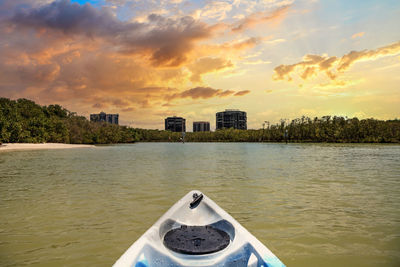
<point x="331" y="66"/>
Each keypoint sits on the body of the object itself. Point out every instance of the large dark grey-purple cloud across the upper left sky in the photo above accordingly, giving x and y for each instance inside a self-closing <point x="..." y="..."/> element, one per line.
<point x="167" y="41"/>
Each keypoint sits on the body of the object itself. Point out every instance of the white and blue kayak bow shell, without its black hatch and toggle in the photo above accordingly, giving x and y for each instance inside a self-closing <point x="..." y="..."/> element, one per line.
<point x="243" y="249"/>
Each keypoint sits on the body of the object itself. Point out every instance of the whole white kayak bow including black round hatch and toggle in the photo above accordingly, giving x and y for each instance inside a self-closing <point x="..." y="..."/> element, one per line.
<point x="197" y="232"/>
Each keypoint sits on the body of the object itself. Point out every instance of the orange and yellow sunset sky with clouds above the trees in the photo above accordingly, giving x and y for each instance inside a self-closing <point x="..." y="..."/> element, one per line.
<point x="149" y="59"/>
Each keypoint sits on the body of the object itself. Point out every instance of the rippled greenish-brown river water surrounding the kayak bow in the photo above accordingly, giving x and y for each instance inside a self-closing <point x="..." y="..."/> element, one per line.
<point x="310" y="204"/>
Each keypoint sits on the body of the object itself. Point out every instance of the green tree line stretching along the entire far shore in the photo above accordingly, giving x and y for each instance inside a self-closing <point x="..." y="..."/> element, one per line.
<point x="24" y="121"/>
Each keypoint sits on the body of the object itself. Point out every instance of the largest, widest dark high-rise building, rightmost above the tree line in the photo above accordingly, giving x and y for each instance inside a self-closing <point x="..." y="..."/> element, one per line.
<point x="231" y="118"/>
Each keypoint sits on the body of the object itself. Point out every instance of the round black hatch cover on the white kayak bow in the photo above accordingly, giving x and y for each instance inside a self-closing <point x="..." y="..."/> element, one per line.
<point x="196" y="240"/>
